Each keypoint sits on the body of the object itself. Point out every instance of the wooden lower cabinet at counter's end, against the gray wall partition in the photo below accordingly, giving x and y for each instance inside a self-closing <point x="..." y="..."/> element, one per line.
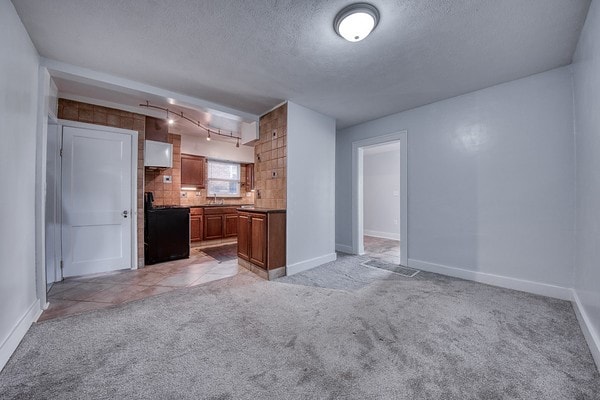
<point x="261" y="238"/>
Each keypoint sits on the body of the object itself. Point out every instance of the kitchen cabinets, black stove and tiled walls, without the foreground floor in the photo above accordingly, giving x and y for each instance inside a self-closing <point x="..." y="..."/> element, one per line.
<point x="238" y="199"/>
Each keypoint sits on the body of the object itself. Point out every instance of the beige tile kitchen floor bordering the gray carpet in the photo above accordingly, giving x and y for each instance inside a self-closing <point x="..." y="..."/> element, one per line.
<point x="81" y="294"/>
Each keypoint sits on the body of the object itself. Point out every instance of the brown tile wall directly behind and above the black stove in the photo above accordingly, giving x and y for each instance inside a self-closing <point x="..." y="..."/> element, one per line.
<point x="166" y="194"/>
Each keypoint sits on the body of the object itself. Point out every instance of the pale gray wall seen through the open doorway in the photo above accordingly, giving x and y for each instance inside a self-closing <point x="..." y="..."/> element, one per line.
<point x="381" y="207"/>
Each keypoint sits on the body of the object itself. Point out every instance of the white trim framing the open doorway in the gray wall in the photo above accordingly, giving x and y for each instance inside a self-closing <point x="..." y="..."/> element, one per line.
<point x="357" y="191"/>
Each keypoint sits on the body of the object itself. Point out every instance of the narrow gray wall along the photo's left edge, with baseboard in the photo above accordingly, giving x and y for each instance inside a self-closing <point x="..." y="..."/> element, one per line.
<point x="18" y="119"/>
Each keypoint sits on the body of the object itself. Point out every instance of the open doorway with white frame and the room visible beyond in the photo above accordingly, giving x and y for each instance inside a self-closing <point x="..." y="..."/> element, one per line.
<point x="380" y="198"/>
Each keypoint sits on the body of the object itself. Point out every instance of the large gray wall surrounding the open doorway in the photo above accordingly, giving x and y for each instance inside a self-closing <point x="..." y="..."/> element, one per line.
<point x="490" y="180"/>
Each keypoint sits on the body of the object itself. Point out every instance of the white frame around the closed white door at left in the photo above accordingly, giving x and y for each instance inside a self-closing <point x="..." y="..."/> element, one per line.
<point x="134" y="160"/>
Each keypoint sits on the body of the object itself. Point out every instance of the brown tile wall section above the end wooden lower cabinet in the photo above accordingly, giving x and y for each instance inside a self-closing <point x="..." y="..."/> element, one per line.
<point x="270" y="158"/>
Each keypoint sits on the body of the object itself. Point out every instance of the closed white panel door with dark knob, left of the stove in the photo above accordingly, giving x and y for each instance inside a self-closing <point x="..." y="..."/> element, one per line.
<point x="96" y="201"/>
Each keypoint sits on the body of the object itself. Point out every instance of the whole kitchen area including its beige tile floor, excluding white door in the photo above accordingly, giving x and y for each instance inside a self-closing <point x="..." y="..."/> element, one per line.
<point x="207" y="209"/>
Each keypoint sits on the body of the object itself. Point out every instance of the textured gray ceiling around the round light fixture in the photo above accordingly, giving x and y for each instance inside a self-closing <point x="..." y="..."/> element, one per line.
<point x="251" y="55"/>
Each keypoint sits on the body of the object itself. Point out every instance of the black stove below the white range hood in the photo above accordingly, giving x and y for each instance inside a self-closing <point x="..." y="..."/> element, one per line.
<point x="166" y="232"/>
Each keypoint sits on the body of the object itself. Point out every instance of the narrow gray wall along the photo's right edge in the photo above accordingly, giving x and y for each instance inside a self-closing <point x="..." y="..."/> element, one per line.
<point x="586" y="68"/>
